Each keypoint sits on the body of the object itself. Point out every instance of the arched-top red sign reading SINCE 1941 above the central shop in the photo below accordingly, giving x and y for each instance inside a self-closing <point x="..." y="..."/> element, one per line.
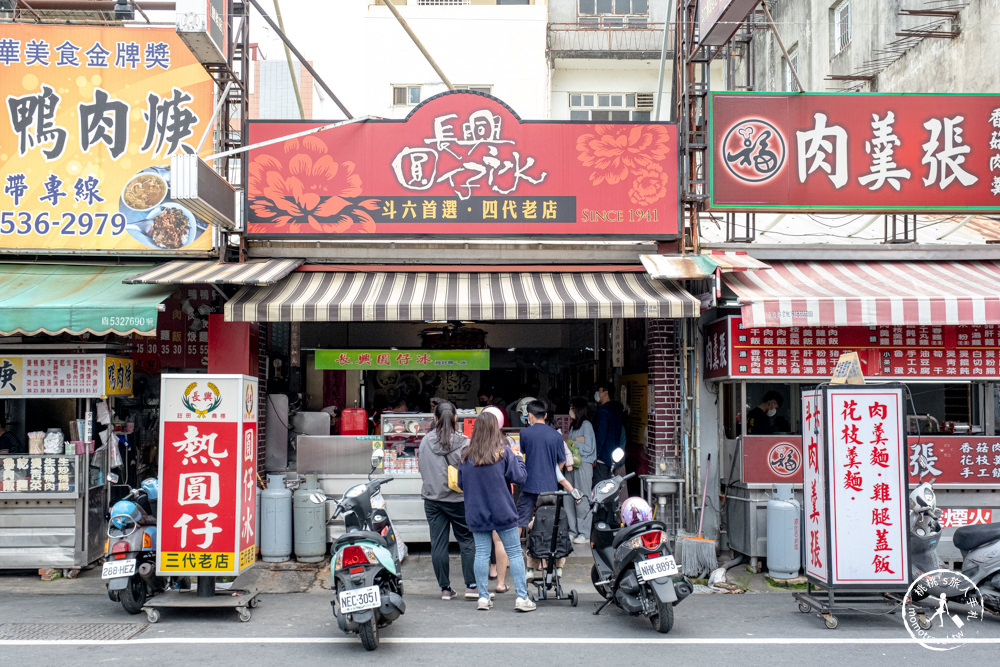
<point x="464" y="164"/>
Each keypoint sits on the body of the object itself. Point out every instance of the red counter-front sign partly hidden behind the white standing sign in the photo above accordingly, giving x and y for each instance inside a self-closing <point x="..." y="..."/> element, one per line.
<point x="957" y="461"/>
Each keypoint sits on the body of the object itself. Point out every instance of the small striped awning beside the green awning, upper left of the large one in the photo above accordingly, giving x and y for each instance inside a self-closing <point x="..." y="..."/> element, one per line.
<point x="252" y="272"/>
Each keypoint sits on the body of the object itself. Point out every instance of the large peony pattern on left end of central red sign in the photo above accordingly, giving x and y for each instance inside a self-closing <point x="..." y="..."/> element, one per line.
<point x="306" y="186"/>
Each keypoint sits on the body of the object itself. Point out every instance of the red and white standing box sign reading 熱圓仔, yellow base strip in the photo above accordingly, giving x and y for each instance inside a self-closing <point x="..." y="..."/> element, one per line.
<point x="208" y="471"/>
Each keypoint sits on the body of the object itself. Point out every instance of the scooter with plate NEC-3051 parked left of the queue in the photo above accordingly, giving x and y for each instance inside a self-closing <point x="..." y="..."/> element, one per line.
<point x="365" y="561"/>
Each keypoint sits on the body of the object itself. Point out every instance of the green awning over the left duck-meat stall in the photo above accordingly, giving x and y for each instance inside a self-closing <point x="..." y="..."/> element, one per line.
<point x="75" y="299"/>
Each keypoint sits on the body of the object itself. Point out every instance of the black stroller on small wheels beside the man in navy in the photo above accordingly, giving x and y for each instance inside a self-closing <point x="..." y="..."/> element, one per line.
<point x="548" y="540"/>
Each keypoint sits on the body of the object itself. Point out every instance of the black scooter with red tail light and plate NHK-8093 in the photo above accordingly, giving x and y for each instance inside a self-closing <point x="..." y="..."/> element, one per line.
<point x="633" y="565"/>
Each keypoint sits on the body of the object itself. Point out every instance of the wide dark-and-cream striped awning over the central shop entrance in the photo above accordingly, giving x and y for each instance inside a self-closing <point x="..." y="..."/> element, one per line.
<point x="404" y="296"/>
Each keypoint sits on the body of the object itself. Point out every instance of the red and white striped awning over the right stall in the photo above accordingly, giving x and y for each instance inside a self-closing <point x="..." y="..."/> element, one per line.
<point x="868" y="293"/>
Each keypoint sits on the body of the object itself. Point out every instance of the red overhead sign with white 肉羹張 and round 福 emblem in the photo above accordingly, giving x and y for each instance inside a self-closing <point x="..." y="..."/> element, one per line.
<point x="855" y="152"/>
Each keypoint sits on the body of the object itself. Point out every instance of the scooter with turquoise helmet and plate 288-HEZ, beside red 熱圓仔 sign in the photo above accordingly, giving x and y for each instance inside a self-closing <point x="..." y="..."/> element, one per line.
<point x="130" y="550"/>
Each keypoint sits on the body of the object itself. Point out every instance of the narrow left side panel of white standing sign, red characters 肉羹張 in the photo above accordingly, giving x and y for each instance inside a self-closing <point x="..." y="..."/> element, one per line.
<point x="814" y="488"/>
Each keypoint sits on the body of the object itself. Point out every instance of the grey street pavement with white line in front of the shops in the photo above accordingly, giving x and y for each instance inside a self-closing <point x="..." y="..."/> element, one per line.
<point x="296" y="626"/>
